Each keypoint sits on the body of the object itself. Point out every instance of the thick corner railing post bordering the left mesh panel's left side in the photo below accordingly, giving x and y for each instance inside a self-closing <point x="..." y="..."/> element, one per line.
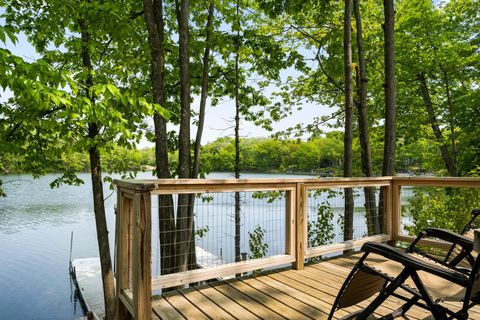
<point x="142" y="263"/>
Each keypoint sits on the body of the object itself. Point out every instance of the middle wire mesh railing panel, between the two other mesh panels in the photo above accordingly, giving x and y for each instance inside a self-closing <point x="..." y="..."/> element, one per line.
<point x="338" y="214"/>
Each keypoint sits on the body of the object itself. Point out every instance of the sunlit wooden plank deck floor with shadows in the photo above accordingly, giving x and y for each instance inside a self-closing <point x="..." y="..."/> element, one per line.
<point x="286" y="294"/>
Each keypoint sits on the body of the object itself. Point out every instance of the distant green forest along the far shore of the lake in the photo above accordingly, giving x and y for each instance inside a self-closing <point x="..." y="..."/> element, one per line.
<point x="318" y="156"/>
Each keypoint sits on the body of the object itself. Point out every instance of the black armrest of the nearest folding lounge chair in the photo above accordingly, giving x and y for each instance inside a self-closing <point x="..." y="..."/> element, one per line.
<point x="409" y="261"/>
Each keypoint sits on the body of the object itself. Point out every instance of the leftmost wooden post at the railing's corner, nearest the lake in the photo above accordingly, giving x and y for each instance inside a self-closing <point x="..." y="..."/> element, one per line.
<point x="122" y="251"/>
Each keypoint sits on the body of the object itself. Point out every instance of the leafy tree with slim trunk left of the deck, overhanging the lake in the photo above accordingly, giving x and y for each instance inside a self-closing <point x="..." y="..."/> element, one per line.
<point x="92" y="113"/>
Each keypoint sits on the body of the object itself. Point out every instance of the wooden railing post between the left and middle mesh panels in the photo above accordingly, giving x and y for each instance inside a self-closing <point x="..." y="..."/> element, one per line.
<point x="300" y="226"/>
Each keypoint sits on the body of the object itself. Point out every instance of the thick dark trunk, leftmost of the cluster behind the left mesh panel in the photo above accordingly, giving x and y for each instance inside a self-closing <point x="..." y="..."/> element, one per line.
<point x="153" y="13"/>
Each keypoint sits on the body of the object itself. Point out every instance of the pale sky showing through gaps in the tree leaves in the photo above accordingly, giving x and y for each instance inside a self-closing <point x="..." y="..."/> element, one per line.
<point x="218" y="120"/>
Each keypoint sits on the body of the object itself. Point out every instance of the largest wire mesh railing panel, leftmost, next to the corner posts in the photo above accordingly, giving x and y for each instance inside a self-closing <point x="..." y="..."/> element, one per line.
<point x="208" y="230"/>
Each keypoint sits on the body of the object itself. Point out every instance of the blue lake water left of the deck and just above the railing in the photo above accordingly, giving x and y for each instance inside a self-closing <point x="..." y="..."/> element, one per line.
<point x="35" y="227"/>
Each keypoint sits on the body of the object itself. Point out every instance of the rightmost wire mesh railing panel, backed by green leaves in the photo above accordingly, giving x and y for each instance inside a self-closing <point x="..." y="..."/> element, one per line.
<point x="440" y="207"/>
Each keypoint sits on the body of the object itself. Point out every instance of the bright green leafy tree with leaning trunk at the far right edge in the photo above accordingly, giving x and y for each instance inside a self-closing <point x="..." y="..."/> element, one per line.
<point x="439" y="81"/>
